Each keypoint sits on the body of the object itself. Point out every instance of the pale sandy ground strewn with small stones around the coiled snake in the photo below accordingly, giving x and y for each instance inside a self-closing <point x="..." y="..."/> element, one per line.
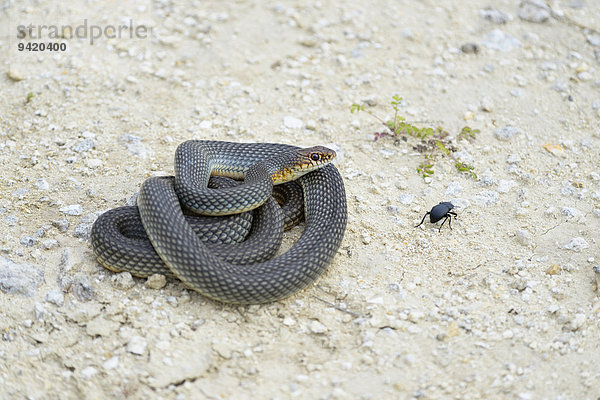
<point x="504" y="306"/>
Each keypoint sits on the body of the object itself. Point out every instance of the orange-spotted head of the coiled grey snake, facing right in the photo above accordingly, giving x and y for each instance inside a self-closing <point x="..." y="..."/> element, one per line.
<point x="302" y="161"/>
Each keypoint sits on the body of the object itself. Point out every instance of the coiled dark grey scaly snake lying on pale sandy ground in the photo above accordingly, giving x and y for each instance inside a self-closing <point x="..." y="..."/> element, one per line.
<point x="240" y="273"/>
